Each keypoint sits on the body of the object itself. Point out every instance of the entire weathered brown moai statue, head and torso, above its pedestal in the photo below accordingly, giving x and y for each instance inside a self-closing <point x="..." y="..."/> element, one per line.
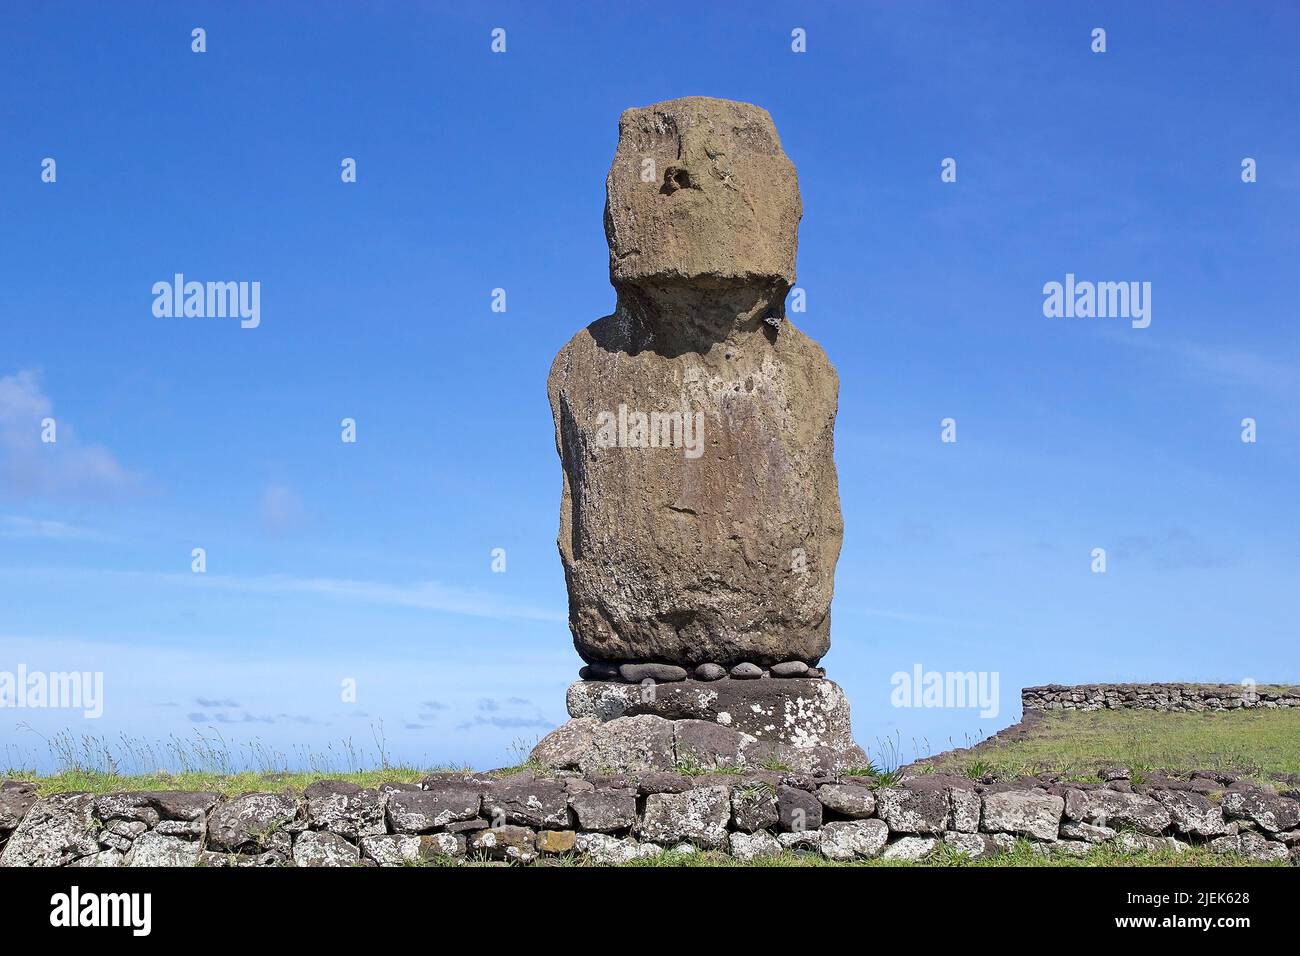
<point x="700" y="518"/>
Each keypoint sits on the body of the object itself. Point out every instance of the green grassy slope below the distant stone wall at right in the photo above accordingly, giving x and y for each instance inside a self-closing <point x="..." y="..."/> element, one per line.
<point x="1262" y="745"/>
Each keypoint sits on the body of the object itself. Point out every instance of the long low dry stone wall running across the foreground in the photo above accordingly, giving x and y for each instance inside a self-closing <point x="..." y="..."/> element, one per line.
<point x="616" y="819"/>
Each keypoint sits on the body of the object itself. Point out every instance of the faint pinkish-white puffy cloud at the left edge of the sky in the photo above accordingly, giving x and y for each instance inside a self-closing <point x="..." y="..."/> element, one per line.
<point x="33" y="468"/>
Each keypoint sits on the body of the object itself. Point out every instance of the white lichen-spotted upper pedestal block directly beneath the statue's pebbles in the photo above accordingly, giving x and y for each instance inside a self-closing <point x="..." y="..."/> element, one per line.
<point x="799" y="712"/>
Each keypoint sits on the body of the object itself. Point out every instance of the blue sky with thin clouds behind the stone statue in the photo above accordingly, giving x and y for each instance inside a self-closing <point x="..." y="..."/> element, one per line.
<point x="478" y="171"/>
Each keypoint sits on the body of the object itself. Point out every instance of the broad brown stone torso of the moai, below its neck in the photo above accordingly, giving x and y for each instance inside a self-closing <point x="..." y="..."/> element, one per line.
<point x="700" y="518"/>
